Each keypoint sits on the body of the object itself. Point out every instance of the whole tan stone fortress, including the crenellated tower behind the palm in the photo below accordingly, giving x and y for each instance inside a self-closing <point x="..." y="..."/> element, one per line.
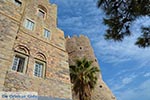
<point x="33" y="53"/>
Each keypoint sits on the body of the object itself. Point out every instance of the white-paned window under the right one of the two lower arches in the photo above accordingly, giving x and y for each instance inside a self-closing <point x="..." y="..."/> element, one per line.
<point x="38" y="69"/>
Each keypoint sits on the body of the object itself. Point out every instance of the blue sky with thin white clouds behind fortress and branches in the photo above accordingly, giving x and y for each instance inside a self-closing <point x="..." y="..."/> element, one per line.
<point x="125" y="67"/>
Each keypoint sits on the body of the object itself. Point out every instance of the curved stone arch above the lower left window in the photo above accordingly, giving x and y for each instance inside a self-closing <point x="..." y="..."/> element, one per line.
<point x="22" y="49"/>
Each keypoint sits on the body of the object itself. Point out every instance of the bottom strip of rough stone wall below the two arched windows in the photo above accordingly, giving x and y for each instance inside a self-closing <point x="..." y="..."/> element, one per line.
<point x="16" y="82"/>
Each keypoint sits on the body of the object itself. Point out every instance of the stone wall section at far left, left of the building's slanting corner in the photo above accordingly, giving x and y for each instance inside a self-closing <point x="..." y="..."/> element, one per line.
<point x="8" y="32"/>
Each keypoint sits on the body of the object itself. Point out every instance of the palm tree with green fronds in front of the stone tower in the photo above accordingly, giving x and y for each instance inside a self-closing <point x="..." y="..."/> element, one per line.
<point x="84" y="78"/>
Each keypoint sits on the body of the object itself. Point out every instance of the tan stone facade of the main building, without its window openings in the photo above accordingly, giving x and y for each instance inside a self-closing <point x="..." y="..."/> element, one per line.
<point x="16" y="39"/>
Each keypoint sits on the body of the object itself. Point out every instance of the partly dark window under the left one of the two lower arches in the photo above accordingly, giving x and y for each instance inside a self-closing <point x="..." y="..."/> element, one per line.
<point x="18" y="63"/>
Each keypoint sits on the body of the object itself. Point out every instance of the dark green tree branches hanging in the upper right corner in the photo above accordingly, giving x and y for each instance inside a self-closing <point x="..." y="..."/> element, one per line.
<point x="120" y="14"/>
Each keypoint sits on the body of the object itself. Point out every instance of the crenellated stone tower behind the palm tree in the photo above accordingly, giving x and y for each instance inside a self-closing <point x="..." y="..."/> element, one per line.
<point x="79" y="47"/>
